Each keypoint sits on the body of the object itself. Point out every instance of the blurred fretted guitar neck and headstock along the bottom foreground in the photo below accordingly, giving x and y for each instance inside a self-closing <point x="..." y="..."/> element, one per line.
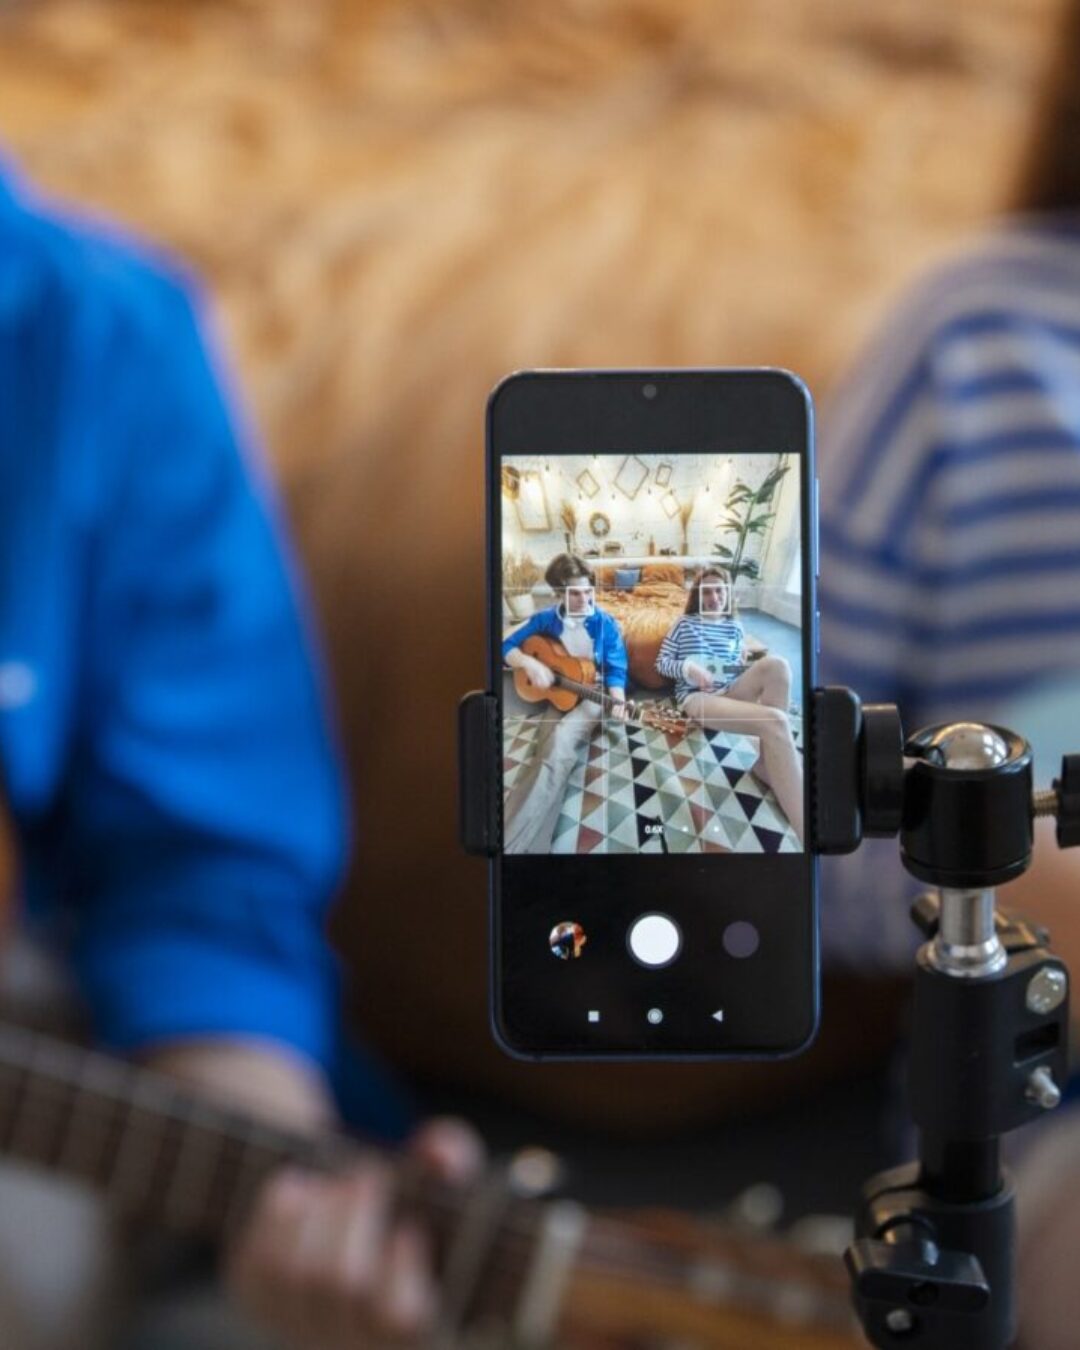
<point x="164" y="1154"/>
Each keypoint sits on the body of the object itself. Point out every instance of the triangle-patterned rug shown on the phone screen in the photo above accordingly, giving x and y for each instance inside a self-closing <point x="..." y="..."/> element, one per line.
<point x="639" y="790"/>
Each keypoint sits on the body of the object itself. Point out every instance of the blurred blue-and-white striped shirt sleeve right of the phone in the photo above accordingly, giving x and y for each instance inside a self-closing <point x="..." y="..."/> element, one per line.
<point x="951" y="529"/>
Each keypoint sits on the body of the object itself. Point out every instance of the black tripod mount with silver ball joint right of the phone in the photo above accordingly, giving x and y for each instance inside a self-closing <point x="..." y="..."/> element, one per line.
<point x="934" y="1264"/>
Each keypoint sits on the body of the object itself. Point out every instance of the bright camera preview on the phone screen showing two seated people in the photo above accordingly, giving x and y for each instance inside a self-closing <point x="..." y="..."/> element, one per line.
<point x="653" y="676"/>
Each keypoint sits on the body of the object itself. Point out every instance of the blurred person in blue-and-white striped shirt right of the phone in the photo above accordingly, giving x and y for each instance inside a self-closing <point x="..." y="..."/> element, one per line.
<point x="951" y="583"/>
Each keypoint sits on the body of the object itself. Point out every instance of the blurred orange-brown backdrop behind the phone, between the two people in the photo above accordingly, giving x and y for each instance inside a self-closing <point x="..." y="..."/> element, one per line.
<point x="396" y="203"/>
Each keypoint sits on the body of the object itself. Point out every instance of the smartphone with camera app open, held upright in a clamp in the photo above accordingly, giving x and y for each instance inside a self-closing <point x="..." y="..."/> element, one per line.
<point x="653" y="641"/>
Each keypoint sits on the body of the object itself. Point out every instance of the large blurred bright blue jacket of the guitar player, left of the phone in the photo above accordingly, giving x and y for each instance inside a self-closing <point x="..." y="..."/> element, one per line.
<point x="164" y="732"/>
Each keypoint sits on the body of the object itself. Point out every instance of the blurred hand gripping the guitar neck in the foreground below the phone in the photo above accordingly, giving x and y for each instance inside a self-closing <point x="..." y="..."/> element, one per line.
<point x="323" y="1263"/>
